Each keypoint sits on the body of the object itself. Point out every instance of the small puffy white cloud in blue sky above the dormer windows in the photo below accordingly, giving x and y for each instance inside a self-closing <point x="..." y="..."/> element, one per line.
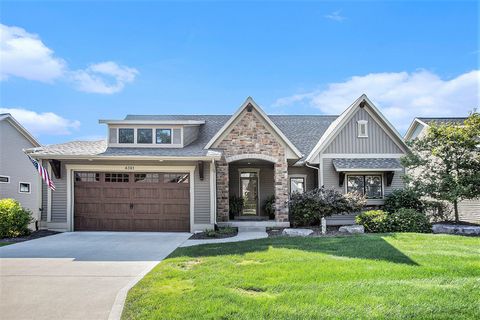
<point x="106" y="77"/>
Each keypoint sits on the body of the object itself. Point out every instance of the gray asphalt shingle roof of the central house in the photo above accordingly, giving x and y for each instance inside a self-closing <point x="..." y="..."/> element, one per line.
<point x="303" y="131"/>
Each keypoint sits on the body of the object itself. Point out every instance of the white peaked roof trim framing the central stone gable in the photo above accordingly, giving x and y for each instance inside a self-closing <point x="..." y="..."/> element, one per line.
<point x="250" y="103"/>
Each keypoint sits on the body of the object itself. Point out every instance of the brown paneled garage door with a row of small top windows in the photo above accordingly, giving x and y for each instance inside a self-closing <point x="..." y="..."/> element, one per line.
<point x="118" y="201"/>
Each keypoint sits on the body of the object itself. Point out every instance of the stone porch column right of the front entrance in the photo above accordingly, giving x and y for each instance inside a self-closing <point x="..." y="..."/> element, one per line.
<point x="281" y="191"/>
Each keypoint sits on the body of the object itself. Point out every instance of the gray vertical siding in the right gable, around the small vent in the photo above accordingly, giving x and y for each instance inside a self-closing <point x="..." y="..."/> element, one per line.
<point x="347" y="141"/>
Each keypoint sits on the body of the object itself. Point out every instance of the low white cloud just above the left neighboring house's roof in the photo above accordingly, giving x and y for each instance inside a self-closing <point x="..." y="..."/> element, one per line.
<point x="42" y="123"/>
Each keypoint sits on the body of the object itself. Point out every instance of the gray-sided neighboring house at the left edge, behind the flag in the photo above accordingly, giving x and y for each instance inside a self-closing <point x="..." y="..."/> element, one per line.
<point x="18" y="178"/>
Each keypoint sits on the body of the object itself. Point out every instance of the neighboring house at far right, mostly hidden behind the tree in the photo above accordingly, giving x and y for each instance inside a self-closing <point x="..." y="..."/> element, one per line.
<point x="469" y="210"/>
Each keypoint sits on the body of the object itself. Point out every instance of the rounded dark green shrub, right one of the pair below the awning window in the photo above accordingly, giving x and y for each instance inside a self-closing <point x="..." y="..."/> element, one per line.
<point x="408" y="220"/>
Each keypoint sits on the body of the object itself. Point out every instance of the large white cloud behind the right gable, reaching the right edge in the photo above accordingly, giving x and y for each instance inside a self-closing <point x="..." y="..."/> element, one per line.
<point x="401" y="96"/>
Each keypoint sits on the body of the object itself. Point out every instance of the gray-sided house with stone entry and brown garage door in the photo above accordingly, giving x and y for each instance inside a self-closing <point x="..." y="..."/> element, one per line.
<point x="178" y="172"/>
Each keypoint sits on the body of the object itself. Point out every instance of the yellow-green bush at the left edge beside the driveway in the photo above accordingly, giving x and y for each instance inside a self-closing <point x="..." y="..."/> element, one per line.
<point x="14" y="219"/>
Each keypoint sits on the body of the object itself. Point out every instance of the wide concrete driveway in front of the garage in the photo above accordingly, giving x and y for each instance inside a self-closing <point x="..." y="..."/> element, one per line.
<point x="78" y="275"/>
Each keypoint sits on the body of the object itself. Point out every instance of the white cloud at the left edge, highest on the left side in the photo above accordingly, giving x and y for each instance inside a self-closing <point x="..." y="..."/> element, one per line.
<point x="24" y="55"/>
